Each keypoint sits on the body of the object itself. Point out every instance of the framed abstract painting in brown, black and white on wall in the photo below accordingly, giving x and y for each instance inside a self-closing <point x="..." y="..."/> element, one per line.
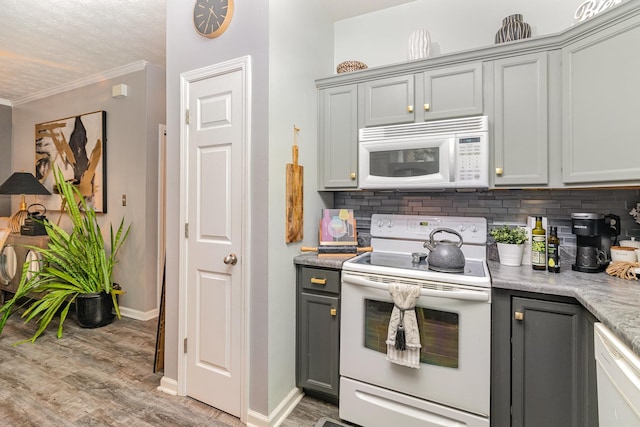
<point x="76" y="145"/>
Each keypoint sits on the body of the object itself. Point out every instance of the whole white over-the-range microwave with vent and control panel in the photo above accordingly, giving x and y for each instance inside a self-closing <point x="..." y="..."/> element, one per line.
<point x="439" y="154"/>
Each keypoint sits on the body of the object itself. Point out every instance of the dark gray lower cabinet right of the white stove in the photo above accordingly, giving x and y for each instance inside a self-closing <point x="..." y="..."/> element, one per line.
<point x="543" y="366"/>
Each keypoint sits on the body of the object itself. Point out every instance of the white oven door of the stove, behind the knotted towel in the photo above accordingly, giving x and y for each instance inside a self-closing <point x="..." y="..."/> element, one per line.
<point x="455" y="334"/>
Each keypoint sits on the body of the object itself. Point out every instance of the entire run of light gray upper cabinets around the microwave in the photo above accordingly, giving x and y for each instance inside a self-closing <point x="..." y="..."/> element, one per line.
<point x="562" y="108"/>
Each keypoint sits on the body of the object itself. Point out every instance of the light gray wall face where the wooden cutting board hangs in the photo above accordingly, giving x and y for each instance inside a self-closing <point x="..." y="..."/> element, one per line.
<point x="300" y="50"/>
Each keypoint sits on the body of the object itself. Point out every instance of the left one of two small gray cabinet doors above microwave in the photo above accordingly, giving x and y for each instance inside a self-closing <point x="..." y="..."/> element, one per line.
<point x="388" y="101"/>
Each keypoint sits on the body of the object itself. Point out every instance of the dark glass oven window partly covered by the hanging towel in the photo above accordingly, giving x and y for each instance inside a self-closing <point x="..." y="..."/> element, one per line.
<point x="439" y="332"/>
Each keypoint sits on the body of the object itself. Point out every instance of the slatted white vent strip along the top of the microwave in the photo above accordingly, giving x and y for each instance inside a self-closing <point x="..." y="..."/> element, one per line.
<point x="435" y="128"/>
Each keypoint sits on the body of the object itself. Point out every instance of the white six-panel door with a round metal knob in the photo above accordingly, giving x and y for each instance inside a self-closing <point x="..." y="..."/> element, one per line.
<point x="216" y="138"/>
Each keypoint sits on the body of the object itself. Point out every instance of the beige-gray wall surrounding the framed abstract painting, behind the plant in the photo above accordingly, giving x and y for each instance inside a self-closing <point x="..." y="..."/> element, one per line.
<point x="132" y="158"/>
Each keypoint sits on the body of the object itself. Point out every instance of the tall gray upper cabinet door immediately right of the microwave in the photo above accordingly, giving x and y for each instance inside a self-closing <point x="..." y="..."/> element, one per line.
<point x="520" y="120"/>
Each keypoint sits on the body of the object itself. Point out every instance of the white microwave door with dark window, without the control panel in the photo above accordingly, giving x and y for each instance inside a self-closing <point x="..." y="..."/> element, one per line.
<point x="412" y="163"/>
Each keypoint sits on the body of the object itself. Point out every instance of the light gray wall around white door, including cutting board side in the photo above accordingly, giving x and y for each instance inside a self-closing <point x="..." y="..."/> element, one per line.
<point x="290" y="44"/>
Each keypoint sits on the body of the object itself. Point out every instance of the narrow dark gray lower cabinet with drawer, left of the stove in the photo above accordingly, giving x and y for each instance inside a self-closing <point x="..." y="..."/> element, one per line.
<point x="318" y="331"/>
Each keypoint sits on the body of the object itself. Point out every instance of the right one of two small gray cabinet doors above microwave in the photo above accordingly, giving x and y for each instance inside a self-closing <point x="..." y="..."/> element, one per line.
<point x="452" y="92"/>
